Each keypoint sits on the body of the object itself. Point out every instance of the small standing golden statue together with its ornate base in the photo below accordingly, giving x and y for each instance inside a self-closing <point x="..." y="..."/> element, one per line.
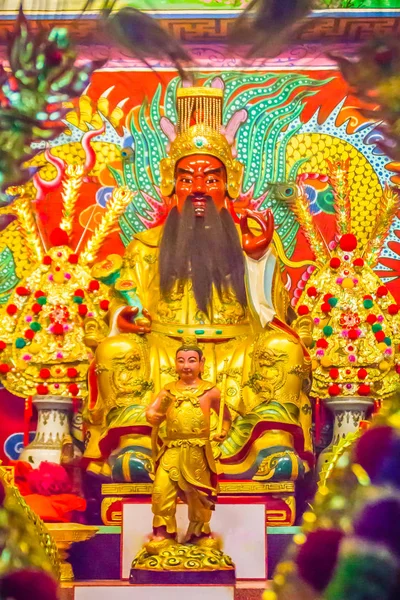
<point x="185" y="467"/>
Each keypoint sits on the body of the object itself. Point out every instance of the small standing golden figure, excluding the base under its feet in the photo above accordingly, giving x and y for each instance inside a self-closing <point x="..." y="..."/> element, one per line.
<point x="185" y="464"/>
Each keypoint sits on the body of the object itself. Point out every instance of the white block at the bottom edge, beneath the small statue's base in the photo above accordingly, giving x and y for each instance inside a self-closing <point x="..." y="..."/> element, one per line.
<point x="151" y="592"/>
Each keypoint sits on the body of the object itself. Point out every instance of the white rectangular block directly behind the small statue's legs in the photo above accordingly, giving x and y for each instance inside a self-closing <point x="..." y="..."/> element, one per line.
<point x="242" y="528"/>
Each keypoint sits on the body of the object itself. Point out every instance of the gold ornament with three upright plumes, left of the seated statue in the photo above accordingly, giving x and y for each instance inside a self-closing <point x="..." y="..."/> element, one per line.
<point x="51" y="313"/>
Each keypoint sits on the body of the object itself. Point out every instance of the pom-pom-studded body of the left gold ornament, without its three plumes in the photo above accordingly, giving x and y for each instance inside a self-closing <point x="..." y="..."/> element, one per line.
<point x="45" y="351"/>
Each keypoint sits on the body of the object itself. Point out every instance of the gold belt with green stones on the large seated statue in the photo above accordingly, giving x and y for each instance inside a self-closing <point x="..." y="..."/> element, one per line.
<point x="216" y="331"/>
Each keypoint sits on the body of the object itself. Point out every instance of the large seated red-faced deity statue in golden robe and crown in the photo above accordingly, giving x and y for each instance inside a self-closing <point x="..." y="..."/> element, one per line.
<point x="207" y="275"/>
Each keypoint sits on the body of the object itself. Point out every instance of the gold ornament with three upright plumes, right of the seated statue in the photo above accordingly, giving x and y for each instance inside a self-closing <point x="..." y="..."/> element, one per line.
<point x="356" y="334"/>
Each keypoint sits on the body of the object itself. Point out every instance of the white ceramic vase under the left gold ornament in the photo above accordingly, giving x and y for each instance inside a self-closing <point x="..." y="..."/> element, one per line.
<point x="54" y="415"/>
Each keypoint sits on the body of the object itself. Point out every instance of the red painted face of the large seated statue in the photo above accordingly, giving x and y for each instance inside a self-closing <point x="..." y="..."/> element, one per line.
<point x="199" y="176"/>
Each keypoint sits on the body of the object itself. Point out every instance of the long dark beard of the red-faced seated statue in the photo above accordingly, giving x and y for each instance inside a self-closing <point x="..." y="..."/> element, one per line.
<point x="205" y="250"/>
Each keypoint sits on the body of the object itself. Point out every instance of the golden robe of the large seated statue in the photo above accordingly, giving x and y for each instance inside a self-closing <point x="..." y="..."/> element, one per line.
<point x="266" y="362"/>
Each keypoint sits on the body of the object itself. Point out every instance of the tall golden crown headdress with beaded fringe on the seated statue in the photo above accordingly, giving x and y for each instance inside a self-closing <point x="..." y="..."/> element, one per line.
<point x="199" y="132"/>
